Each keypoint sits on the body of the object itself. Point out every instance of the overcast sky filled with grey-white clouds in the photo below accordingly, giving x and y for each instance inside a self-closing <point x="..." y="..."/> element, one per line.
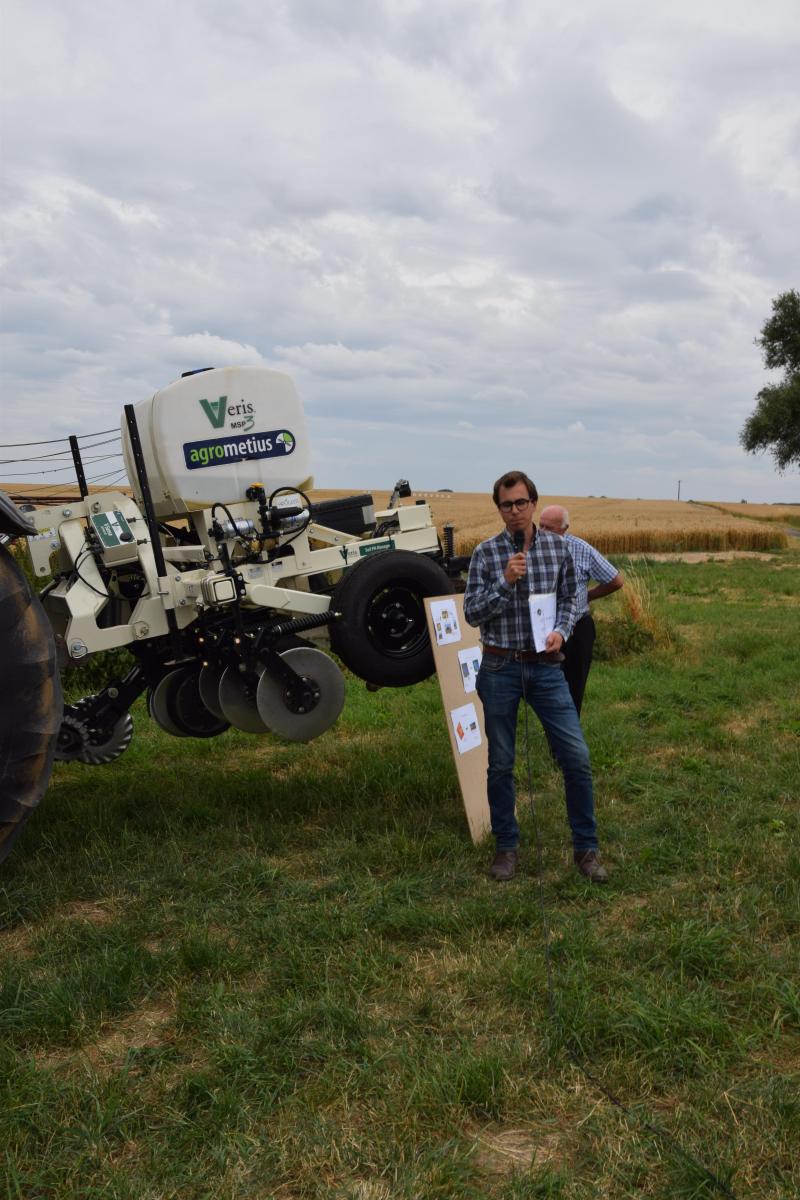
<point x="479" y="235"/>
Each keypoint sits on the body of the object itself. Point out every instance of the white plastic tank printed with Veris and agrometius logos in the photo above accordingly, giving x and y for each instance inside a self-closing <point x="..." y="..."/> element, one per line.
<point x="210" y="435"/>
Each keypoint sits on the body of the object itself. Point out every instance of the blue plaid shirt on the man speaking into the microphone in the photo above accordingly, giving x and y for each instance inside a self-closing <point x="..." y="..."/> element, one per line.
<point x="501" y="609"/>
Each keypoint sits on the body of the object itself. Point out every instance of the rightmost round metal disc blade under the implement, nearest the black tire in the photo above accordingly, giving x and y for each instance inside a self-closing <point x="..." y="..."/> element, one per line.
<point x="303" y="727"/>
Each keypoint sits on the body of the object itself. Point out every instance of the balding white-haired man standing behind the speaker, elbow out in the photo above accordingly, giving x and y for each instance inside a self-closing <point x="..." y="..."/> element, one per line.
<point x="590" y="565"/>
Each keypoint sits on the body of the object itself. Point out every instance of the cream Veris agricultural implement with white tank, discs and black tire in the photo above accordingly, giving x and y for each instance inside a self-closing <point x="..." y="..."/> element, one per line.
<point x="225" y="583"/>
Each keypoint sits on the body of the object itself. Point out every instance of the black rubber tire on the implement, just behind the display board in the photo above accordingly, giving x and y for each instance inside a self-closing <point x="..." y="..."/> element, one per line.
<point x="383" y="635"/>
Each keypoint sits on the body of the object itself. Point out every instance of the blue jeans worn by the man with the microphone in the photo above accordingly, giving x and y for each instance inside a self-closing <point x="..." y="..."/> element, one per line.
<point x="502" y="685"/>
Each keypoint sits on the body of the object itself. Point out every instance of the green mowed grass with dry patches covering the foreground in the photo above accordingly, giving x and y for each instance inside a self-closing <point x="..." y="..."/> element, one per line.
<point x="243" y="969"/>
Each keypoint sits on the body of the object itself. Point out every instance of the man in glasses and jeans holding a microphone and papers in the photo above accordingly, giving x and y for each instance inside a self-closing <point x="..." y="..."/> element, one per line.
<point x="504" y="572"/>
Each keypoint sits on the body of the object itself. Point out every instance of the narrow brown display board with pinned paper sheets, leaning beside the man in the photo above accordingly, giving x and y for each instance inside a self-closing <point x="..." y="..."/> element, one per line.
<point x="458" y="657"/>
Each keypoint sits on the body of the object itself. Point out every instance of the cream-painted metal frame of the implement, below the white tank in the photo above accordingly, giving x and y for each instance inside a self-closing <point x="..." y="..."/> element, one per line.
<point x="75" y="604"/>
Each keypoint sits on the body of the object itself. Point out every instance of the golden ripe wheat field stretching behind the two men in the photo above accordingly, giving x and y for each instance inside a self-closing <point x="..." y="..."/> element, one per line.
<point x="613" y="526"/>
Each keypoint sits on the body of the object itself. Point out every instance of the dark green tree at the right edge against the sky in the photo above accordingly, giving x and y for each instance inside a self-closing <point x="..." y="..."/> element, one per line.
<point x="775" y="423"/>
